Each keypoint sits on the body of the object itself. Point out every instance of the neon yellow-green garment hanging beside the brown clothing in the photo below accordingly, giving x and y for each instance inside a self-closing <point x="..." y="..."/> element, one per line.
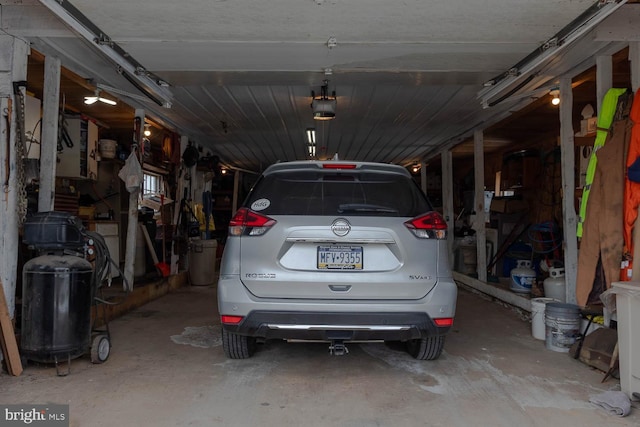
<point x="605" y="118"/>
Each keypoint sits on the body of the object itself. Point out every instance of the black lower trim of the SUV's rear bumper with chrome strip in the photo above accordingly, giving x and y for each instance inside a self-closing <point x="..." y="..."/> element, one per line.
<point x="325" y="326"/>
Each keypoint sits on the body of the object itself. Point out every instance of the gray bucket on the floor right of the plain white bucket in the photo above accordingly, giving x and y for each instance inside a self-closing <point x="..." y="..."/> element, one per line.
<point x="562" y="323"/>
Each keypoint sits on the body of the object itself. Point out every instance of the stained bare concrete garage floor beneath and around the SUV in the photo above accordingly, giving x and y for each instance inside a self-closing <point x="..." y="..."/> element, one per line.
<point x="167" y="368"/>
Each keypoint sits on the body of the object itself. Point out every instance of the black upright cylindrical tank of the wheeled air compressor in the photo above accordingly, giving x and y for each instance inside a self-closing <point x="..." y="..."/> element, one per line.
<point x="56" y="308"/>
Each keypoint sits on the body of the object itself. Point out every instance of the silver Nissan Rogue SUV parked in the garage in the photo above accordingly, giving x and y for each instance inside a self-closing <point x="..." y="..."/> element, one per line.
<point x="336" y="251"/>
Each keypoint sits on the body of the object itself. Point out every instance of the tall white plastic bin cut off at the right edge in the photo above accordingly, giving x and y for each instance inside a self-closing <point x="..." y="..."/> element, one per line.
<point x="628" y="309"/>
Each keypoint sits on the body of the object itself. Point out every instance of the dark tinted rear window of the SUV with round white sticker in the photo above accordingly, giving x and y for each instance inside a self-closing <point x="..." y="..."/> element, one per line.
<point x="330" y="192"/>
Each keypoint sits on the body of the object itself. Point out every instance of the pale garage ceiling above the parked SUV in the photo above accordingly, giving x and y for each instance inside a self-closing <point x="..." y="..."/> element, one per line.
<point x="409" y="76"/>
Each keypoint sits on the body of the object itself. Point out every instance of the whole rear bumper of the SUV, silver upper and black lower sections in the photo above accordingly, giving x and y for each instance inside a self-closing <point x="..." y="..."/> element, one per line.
<point x="336" y="319"/>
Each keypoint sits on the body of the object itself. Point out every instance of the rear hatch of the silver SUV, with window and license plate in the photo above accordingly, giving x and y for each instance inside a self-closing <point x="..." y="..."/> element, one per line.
<point x="336" y="233"/>
